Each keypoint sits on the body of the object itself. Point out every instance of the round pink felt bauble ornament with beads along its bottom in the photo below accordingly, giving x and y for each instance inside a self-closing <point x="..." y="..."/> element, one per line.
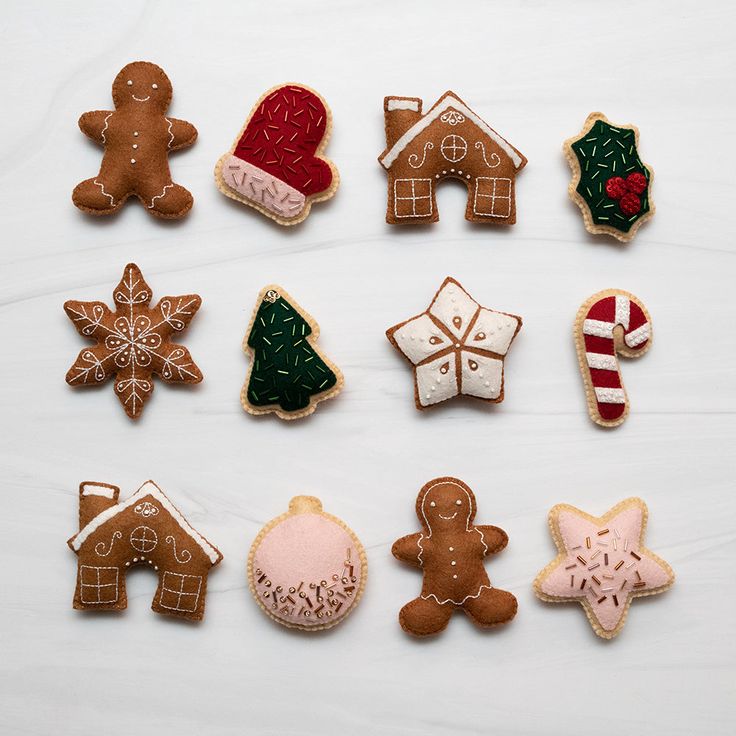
<point x="306" y="568"/>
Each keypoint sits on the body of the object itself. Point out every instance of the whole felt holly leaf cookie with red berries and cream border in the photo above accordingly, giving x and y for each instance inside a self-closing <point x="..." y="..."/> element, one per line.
<point x="610" y="182"/>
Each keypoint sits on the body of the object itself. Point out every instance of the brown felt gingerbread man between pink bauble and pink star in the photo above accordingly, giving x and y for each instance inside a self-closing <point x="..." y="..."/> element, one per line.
<point x="450" y="551"/>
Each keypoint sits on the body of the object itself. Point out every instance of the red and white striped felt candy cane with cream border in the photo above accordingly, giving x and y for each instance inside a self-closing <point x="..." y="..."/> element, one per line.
<point x="609" y="323"/>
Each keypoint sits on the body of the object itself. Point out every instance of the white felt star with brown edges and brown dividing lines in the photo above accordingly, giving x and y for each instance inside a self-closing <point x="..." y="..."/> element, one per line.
<point x="456" y="347"/>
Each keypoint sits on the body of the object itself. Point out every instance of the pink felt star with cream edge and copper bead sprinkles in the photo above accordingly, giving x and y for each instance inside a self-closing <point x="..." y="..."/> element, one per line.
<point x="602" y="563"/>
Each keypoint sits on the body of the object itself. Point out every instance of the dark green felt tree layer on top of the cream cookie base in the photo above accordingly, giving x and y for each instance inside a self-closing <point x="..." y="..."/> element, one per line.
<point x="286" y="370"/>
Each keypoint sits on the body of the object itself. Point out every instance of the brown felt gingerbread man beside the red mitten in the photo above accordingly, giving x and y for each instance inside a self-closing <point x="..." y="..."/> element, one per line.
<point x="137" y="137"/>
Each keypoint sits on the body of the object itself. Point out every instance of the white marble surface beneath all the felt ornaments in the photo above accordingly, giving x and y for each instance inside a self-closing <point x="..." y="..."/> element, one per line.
<point x="534" y="70"/>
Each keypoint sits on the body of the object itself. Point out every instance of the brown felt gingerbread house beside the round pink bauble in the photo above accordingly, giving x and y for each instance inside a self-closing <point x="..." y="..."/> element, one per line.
<point x="145" y="530"/>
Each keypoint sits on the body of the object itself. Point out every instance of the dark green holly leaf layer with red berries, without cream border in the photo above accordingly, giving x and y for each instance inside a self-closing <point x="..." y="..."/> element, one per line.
<point x="614" y="182"/>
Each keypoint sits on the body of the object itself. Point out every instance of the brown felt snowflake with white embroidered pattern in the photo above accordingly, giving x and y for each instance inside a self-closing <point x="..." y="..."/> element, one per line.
<point x="133" y="342"/>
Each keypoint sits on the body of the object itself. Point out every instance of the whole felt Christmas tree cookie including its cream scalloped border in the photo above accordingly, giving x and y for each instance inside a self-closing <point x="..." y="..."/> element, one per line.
<point x="287" y="375"/>
